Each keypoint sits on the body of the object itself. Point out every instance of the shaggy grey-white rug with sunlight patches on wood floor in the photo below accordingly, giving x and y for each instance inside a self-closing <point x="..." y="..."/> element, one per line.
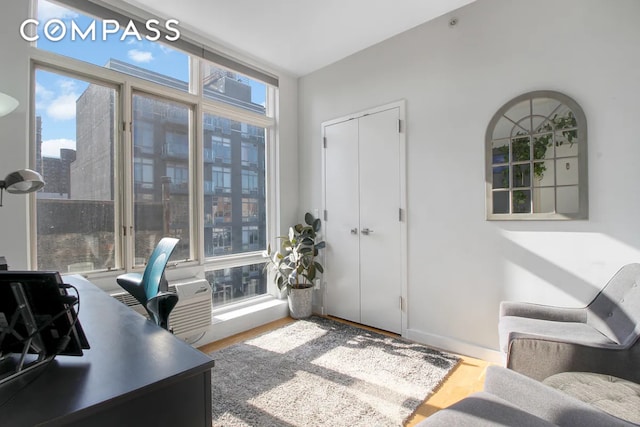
<point x="320" y="372"/>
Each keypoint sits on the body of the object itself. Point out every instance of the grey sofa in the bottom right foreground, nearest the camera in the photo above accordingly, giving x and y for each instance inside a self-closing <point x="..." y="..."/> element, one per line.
<point x="512" y="399"/>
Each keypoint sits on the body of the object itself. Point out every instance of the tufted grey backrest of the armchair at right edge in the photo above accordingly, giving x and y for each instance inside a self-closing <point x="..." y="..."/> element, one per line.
<point x="615" y="311"/>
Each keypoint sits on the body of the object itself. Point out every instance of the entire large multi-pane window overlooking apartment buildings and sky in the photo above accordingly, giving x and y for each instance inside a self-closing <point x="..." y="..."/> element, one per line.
<point x="122" y="129"/>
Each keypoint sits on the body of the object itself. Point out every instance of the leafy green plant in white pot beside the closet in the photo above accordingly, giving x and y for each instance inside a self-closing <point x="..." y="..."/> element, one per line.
<point x="295" y="265"/>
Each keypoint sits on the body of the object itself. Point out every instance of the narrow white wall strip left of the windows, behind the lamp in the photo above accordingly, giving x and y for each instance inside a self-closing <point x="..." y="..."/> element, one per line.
<point x="14" y="77"/>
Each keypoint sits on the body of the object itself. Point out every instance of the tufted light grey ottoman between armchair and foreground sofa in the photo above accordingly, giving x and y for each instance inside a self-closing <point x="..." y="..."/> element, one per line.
<point x="618" y="397"/>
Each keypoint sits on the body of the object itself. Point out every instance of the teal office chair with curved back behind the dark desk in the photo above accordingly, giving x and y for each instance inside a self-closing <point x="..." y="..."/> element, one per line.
<point x="151" y="288"/>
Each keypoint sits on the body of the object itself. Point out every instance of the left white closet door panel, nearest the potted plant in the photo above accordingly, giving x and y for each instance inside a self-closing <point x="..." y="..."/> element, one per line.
<point x="342" y="260"/>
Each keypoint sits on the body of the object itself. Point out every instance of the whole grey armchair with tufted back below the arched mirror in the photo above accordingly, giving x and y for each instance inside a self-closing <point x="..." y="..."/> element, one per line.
<point x="540" y="341"/>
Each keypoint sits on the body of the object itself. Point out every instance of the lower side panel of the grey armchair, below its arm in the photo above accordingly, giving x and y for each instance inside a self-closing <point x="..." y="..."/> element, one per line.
<point x="539" y="358"/>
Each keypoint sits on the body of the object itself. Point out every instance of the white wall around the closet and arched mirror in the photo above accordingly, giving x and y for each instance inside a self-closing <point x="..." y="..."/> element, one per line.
<point x="454" y="79"/>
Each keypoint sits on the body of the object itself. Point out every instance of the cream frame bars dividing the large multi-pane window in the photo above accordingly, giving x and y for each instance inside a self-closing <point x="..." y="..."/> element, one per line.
<point x="126" y="85"/>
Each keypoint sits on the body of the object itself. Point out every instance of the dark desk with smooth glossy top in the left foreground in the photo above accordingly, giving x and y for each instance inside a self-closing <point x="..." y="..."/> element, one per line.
<point x="135" y="374"/>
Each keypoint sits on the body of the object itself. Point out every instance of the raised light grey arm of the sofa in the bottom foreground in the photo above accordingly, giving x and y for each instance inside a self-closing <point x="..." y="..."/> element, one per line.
<point x="543" y="401"/>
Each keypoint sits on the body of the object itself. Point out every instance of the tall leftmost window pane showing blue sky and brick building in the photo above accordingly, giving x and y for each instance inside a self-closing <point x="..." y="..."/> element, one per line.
<point x="74" y="145"/>
